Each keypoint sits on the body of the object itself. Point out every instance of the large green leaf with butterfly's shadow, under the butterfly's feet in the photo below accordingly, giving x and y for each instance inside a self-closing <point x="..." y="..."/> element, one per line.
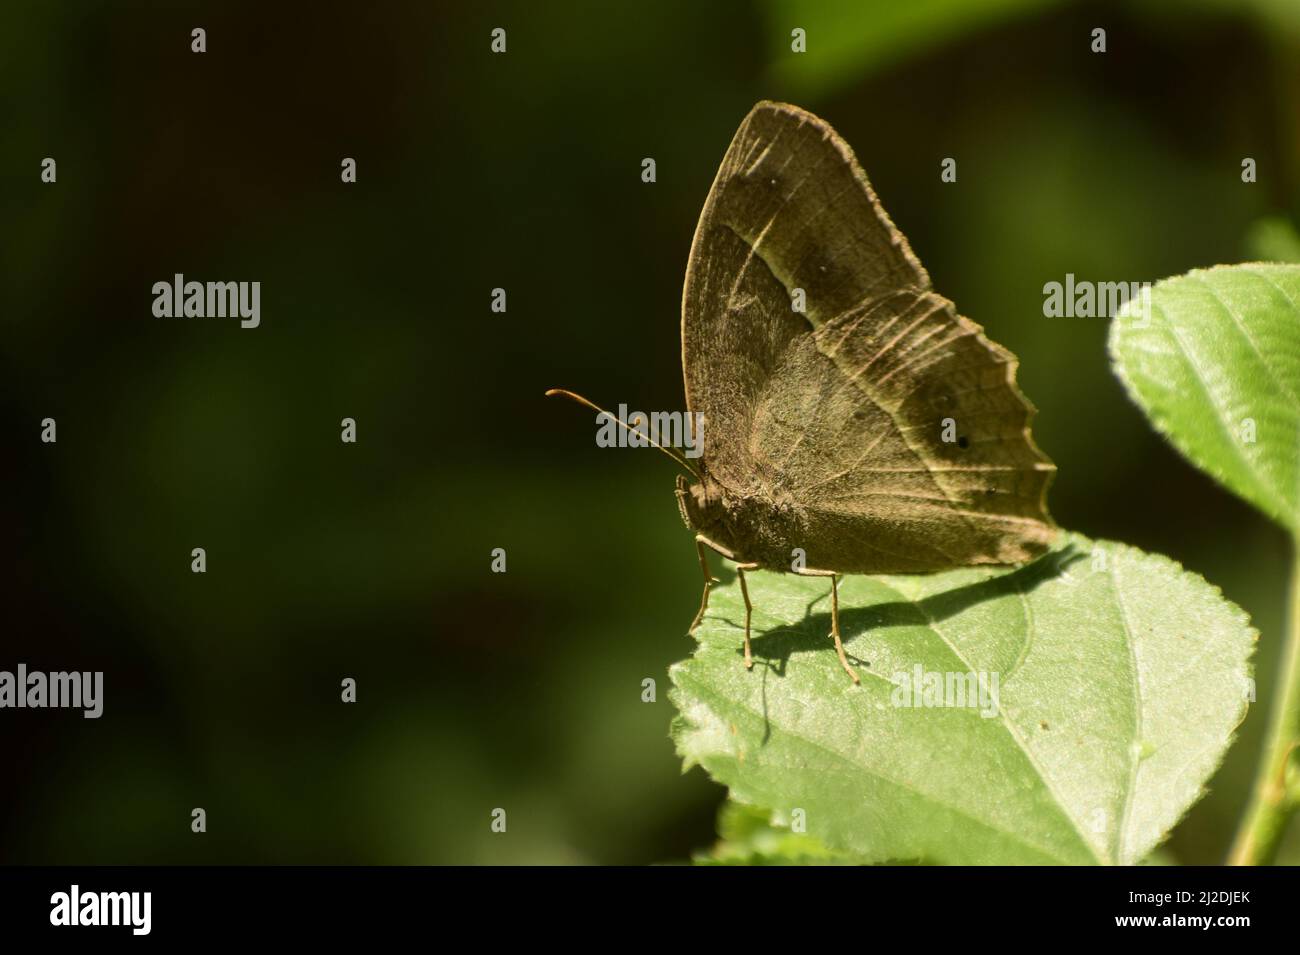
<point x="1120" y="679"/>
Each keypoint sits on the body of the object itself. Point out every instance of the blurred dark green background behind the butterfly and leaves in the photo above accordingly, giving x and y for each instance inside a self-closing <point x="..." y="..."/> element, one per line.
<point x="330" y="561"/>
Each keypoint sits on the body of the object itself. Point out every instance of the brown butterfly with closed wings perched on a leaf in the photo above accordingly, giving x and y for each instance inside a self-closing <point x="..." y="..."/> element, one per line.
<point x="855" y="422"/>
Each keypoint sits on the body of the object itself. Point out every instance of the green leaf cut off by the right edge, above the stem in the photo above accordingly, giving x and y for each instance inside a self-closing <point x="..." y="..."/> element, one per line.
<point x="1216" y="367"/>
